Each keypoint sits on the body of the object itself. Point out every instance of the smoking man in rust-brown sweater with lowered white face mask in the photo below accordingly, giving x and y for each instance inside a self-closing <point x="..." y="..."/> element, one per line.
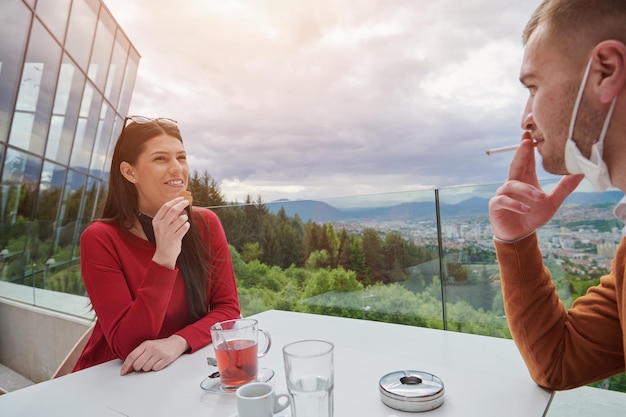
<point x="574" y="67"/>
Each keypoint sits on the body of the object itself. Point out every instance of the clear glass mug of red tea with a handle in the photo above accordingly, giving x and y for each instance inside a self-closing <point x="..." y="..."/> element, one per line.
<point x="236" y="350"/>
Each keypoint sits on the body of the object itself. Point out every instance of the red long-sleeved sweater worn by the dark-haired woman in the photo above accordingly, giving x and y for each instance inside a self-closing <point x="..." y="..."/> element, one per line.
<point x="136" y="299"/>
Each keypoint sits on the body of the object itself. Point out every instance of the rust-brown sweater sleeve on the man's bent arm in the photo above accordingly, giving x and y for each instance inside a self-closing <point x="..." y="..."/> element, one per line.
<point x="562" y="348"/>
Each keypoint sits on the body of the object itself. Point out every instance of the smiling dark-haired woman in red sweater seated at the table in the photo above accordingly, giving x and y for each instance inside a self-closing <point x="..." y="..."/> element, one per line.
<point x="158" y="272"/>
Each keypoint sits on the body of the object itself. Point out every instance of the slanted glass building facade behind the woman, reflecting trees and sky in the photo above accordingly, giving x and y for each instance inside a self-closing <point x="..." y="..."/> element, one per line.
<point x="67" y="71"/>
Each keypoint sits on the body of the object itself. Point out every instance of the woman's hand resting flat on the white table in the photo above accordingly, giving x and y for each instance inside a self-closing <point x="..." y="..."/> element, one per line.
<point x="154" y="355"/>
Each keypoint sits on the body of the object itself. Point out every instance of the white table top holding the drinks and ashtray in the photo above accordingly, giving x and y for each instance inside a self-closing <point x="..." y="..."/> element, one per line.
<point x="483" y="376"/>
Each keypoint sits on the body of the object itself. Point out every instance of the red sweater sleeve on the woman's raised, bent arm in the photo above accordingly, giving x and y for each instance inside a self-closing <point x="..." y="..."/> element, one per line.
<point x="130" y="306"/>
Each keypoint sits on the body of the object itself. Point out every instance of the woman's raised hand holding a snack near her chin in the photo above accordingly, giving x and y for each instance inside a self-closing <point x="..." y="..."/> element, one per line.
<point x="170" y="225"/>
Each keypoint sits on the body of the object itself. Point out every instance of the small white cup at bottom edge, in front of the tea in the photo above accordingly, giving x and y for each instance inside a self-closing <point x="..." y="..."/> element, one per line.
<point x="258" y="399"/>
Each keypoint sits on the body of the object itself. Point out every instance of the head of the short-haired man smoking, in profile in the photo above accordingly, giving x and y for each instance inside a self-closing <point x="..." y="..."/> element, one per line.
<point x="561" y="38"/>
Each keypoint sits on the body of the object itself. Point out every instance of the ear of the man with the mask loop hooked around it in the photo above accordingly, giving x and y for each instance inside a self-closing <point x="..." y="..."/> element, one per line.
<point x="610" y="60"/>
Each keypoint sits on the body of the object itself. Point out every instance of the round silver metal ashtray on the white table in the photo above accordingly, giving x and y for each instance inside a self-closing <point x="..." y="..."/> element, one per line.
<point x="412" y="391"/>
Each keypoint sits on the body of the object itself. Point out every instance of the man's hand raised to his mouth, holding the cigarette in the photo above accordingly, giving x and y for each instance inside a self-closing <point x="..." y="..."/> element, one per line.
<point x="520" y="206"/>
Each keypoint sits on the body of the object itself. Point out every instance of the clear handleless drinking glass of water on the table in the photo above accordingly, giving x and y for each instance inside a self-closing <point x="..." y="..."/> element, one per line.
<point x="309" y="370"/>
